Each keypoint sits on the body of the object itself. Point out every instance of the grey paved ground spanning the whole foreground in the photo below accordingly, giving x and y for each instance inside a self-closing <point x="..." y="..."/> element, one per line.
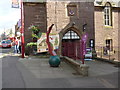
<point x="17" y="73"/>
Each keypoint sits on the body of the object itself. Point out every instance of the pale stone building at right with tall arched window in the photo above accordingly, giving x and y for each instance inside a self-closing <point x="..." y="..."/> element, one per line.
<point x="107" y="29"/>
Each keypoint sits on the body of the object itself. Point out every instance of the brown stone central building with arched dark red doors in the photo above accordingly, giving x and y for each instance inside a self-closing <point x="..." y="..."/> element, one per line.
<point x="70" y="19"/>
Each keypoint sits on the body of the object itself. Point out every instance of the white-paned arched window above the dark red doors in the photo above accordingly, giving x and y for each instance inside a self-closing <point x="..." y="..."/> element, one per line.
<point x="71" y="35"/>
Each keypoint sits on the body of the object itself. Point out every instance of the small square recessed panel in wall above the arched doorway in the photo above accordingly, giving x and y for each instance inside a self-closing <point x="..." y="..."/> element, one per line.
<point x="72" y="10"/>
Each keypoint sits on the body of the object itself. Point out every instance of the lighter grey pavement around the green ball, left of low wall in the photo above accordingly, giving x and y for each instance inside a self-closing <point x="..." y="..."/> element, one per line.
<point x="41" y="68"/>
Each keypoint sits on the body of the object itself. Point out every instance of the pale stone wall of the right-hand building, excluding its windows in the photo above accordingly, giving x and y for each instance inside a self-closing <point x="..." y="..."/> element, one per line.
<point x="103" y="32"/>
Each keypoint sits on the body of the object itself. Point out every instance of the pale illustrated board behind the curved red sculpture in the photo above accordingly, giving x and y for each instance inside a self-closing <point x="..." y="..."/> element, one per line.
<point x="42" y="45"/>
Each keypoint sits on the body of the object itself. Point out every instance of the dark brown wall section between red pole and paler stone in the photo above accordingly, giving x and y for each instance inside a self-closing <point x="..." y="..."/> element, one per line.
<point x="34" y="13"/>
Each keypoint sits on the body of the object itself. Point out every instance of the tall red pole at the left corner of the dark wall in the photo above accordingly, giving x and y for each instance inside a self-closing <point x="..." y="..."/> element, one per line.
<point x="22" y="30"/>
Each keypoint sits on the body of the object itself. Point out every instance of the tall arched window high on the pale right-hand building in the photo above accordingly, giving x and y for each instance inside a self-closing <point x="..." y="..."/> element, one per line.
<point x="108" y="15"/>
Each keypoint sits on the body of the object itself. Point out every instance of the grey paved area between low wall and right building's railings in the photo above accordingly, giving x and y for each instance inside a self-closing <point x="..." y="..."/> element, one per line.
<point x="98" y="68"/>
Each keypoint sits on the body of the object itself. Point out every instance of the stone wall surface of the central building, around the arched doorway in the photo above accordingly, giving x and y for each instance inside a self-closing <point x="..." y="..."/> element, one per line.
<point x="45" y="14"/>
